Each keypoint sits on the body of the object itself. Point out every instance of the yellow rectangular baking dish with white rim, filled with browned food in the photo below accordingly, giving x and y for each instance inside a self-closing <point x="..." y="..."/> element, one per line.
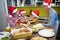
<point x="21" y="33"/>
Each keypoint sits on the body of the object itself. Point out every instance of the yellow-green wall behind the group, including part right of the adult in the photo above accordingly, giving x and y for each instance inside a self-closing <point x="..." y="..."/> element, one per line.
<point x="43" y="12"/>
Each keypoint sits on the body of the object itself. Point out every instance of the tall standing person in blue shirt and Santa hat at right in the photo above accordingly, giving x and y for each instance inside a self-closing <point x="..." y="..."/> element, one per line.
<point x="52" y="15"/>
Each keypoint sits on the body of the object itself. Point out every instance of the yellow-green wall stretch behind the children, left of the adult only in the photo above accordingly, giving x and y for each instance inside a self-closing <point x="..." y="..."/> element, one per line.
<point x="42" y="11"/>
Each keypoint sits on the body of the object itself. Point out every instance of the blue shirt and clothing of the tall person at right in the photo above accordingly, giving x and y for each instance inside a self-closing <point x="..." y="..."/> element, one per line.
<point x="53" y="19"/>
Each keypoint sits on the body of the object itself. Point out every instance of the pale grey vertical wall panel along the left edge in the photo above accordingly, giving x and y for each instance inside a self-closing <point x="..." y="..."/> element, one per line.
<point x="3" y="13"/>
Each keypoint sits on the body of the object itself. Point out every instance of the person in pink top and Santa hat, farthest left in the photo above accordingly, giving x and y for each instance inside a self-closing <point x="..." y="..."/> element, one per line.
<point x="12" y="16"/>
